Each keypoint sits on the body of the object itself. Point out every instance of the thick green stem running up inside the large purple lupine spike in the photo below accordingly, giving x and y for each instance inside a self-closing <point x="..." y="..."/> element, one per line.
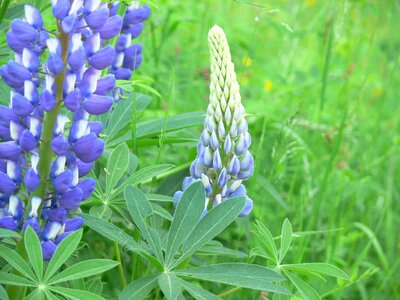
<point x="50" y="119"/>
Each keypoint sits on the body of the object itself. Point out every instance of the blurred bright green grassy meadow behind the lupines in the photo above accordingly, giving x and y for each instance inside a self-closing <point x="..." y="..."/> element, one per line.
<point x="320" y="82"/>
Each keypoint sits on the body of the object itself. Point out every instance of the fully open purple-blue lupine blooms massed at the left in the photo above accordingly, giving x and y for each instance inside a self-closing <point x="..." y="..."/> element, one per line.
<point x="42" y="156"/>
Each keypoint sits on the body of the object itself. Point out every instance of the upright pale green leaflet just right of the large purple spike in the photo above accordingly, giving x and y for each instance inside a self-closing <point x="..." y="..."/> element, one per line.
<point x="116" y="166"/>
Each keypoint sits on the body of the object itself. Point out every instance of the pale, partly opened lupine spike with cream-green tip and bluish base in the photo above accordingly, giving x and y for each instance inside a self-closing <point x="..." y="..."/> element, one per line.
<point x="223" y="160"/>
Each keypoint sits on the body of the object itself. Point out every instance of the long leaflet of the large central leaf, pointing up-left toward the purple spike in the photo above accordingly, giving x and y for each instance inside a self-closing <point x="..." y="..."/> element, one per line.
<point x="117" y="235"/>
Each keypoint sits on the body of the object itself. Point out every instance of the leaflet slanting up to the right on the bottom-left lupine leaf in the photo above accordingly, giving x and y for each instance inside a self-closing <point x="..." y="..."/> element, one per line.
<point x="63" y="252"/>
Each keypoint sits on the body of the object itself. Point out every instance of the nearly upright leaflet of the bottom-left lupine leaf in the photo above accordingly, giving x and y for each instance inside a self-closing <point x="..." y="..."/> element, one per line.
<point x="34" y="251"/>
